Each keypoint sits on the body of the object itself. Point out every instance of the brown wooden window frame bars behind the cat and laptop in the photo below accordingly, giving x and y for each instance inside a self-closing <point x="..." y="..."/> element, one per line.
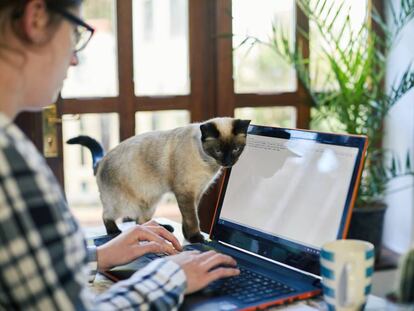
<point x="211" y="85"/>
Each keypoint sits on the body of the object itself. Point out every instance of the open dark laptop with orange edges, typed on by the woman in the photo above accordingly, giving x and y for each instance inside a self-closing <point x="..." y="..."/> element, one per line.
<point x="290" y="192"/>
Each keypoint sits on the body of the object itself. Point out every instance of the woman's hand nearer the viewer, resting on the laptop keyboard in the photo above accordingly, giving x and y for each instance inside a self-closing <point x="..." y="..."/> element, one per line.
<point x="203" y="268"/>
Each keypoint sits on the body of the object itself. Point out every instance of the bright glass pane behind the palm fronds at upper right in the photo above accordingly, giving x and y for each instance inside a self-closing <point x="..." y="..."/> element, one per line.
<point x="320" y="44"/>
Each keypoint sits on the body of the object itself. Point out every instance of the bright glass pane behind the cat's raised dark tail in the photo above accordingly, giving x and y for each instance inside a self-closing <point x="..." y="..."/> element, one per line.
<point x="80" y="184"/>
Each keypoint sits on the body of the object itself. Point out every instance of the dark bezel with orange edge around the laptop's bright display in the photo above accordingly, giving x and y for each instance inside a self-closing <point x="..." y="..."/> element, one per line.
<point x="296" y="255"/>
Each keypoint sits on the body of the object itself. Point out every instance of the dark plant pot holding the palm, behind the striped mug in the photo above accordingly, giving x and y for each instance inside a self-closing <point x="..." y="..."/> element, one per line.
<point x="367" y="224"/>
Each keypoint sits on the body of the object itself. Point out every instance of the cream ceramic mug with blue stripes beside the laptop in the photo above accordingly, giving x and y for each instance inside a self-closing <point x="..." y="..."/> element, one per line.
<point x="346" y="269"/>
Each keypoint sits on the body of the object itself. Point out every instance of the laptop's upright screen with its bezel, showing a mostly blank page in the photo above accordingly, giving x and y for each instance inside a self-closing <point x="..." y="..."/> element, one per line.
<point x="289" y="193"/>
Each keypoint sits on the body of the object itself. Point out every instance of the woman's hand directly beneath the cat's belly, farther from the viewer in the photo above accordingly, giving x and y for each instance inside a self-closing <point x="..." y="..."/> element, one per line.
<point x="127" y="247"/>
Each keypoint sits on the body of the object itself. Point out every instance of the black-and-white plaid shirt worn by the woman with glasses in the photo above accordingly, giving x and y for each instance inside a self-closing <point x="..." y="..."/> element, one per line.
<point x="43" y="255"/>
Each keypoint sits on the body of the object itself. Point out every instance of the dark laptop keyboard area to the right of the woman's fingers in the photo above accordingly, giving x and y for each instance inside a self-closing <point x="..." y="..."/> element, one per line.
<point x="249" y="287"/>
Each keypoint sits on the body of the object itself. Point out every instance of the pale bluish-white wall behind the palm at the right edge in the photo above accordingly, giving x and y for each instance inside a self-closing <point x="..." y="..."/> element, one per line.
<point x="399" y="222"/>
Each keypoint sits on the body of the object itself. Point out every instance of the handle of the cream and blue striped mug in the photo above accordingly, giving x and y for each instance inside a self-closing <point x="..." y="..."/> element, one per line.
<point x="347" y="285"/>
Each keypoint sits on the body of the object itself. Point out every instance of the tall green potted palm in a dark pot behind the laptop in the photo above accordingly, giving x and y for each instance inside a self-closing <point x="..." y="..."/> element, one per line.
<point x="344" y="78"/>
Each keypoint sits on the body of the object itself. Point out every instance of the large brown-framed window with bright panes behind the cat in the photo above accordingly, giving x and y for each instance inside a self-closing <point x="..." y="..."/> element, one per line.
<point x="166" y="63"/>
